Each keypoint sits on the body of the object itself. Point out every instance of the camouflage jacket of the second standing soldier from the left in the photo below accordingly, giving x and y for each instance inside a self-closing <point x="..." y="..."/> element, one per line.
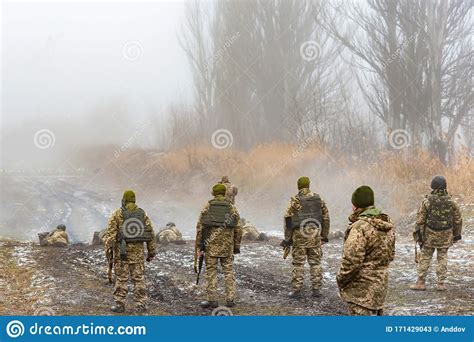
<point x="218" y="241"/>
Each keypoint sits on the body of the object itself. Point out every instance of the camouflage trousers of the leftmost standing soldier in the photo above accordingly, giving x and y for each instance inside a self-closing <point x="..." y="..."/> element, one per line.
<point x="136" y="271"/>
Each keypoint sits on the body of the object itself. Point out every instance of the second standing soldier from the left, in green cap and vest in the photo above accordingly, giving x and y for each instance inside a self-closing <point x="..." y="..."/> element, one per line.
<point x="218" y="237"/>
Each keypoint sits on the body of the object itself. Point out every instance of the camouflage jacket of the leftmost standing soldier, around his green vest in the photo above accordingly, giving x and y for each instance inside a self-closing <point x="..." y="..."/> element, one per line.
<point x="135" y="250"/>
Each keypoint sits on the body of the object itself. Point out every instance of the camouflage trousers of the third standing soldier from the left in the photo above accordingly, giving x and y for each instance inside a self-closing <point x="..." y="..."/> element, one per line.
<point x="313" y="255"/>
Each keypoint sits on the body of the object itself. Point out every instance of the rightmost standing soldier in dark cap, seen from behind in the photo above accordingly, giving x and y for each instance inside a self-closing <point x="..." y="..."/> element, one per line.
<point x="438" y="225"/>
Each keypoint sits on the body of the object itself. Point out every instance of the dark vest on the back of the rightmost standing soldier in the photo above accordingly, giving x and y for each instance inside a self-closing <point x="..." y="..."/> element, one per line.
<point x="440" y="213"/>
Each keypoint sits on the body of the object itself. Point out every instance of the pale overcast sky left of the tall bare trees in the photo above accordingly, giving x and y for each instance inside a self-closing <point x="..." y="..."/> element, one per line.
<point x="65" y="59"/>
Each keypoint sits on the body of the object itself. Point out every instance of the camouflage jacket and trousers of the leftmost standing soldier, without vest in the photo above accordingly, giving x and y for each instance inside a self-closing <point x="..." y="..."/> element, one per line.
<point x="134" y="266"/>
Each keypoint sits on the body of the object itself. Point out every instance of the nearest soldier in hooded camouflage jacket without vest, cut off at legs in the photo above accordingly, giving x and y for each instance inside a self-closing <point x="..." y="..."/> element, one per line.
<point x="369" y="247"/>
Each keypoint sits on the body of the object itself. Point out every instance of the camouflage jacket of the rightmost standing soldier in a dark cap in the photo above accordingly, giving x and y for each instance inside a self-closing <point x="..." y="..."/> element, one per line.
<point x="444" y="238"/>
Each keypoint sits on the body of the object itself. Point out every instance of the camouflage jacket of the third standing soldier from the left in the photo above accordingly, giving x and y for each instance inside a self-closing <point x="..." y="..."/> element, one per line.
<point x="299" y="237"/>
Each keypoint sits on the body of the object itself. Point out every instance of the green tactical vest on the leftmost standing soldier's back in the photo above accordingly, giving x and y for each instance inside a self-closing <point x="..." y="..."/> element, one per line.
<point x="134" y="228"/>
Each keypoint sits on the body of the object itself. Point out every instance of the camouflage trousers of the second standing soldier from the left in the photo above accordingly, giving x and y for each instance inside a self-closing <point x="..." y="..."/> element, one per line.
<point x="227" y="265"/>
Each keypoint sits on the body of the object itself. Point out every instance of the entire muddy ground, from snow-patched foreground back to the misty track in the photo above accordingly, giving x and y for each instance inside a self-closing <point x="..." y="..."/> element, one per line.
<point x="72" y="280"/>
